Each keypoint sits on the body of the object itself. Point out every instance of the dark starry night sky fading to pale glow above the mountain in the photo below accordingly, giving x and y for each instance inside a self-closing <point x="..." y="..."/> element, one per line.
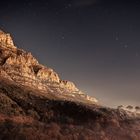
<point x="94" y="43"/>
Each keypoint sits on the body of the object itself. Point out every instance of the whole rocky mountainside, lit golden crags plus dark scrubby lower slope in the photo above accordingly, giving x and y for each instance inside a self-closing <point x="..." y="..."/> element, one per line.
<point x="35" y="104"/>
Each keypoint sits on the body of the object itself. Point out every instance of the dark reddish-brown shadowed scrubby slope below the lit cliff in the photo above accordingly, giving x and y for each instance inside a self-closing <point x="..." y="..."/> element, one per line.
<point x="26" y="114"/>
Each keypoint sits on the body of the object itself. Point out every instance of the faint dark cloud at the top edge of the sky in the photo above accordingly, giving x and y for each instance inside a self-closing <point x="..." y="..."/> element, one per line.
<point x="83" y="3"/>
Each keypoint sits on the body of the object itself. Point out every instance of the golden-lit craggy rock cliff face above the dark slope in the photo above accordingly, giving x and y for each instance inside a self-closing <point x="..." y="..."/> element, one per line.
<point x="20" y="66"/>
